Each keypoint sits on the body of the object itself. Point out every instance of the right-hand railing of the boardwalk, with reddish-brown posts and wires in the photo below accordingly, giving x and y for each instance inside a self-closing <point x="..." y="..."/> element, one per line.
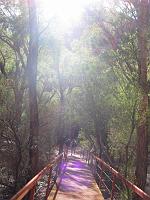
<point x="111" y="180"/>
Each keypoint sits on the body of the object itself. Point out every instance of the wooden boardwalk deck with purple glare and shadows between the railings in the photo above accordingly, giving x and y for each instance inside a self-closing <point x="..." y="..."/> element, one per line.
<point x="77" y="182"/>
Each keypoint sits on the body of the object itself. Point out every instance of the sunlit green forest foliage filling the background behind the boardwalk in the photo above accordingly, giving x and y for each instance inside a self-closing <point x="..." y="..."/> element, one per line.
<point x="98" y="82"/>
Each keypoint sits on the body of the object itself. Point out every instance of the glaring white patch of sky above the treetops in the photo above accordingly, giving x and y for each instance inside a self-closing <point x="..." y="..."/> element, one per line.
<point x="67" y="12"/>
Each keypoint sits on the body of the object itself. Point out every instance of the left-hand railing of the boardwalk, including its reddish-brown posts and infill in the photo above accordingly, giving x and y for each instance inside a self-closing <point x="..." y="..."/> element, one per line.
<point x="49" y="173"/>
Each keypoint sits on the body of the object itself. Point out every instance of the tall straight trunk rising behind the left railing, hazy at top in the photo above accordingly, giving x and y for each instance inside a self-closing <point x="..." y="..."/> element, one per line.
<point x="32" y="75"/>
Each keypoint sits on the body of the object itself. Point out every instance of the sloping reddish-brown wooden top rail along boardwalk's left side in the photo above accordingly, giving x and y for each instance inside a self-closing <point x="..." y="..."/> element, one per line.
<point x="32" y="183"/>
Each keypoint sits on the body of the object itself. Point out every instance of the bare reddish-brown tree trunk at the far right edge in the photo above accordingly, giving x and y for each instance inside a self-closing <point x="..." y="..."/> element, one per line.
<point x="142" y="128"/>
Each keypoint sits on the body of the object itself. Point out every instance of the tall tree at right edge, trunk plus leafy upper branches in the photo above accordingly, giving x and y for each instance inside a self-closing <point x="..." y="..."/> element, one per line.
<point x="135" y="25"/>
